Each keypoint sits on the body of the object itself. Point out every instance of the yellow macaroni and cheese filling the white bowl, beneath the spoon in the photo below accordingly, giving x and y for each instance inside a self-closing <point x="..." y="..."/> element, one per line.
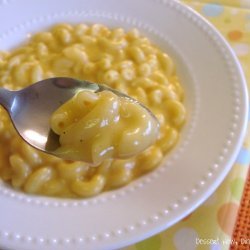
<point x="126" y="61"/>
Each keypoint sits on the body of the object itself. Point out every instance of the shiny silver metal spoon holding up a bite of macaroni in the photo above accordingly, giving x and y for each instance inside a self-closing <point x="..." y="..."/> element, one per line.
<point x="30" y="108"/>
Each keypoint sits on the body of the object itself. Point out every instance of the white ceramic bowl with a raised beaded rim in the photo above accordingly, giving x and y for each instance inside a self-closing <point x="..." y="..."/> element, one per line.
<point x="216" y="98"/>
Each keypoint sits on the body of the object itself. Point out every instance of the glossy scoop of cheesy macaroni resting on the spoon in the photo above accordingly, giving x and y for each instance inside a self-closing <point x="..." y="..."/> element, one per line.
<point x="94" y="127"/>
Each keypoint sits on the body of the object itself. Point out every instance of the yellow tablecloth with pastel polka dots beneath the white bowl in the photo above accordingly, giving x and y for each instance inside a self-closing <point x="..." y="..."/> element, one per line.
<point x="211" y="225"/>
